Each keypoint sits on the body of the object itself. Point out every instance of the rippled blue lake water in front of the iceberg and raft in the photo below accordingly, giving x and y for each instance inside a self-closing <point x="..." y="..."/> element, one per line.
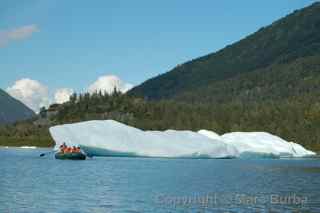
<point x="29" y="183"/>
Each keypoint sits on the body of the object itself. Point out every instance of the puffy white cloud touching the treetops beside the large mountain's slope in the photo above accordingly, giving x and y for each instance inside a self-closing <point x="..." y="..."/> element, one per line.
<point x="107" y="84"/>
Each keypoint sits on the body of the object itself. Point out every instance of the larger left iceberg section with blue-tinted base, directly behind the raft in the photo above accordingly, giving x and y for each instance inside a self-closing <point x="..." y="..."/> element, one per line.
<point x="111" y="138"/>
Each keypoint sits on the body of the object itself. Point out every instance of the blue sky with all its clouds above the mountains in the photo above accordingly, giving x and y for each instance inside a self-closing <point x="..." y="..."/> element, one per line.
<point x="51" y="48"/>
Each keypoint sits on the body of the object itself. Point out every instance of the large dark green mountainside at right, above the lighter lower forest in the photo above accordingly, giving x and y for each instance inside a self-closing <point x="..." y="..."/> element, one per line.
<point x="278" y="61"/>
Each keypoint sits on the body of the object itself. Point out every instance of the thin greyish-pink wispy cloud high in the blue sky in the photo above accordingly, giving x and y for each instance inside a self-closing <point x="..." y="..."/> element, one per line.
<point x="16" y="34"/>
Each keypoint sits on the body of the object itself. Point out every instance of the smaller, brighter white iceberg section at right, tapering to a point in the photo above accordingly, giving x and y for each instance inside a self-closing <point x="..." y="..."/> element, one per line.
<point x="260" y="145"/>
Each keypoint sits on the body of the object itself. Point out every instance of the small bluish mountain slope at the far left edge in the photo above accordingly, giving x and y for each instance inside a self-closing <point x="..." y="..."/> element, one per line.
<point x="12" y="110"/>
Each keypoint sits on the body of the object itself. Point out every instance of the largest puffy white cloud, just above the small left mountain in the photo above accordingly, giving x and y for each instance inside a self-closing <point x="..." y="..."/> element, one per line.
<point x="30" y="92"/>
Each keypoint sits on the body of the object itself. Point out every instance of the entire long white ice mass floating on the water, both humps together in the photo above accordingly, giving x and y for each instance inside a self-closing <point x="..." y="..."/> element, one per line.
<point x="111" y="138"/>
